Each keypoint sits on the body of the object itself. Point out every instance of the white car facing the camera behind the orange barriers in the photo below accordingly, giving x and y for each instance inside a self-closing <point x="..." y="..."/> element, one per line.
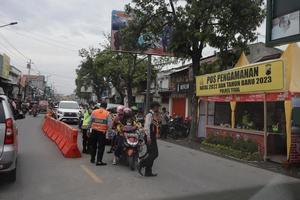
<point x="68" y="111"/>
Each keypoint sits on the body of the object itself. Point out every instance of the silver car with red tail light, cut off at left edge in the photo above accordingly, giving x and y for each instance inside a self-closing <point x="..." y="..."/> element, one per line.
<point x="8" y="140"/>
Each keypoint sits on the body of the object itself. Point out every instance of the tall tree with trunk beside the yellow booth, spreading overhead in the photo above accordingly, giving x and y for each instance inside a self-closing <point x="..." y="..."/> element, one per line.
<point x="197" y="24"/>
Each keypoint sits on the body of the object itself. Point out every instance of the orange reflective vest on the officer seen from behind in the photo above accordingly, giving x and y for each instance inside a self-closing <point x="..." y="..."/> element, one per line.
<point x="100" y="120"/>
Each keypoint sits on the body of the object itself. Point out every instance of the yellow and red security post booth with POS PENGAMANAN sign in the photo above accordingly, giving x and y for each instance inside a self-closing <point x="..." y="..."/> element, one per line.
<point x="258" y="102"/>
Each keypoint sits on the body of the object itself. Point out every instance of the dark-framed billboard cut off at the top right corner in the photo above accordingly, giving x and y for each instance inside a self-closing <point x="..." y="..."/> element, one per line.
<point x="283" y="22"/>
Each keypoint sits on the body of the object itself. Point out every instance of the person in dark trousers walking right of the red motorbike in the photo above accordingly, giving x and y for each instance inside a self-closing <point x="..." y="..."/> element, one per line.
<point x="151" y="133"/>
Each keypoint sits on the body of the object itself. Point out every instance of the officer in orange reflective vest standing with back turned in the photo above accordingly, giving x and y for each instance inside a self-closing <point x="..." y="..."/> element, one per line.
<point x="99" y="123"/>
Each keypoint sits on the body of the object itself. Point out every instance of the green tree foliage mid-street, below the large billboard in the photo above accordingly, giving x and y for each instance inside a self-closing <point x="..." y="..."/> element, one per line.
<point x="100" y="69"/>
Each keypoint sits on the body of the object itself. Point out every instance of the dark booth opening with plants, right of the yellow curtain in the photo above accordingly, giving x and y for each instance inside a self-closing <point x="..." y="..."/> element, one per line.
<point x="250" y="115"/>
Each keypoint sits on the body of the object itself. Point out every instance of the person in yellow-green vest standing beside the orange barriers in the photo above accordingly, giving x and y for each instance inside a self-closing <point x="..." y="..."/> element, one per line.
<point x="84" y="130"/>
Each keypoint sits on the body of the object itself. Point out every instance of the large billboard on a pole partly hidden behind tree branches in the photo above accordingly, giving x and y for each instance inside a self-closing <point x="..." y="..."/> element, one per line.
<point x="120" y="20"/>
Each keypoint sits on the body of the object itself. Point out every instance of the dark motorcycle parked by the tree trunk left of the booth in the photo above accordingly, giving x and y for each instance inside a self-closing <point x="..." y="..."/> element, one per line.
<point x="179" y="127"/>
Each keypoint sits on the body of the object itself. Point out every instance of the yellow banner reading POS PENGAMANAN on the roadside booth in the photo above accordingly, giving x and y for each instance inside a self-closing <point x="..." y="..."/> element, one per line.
<point x="267" y="76"/>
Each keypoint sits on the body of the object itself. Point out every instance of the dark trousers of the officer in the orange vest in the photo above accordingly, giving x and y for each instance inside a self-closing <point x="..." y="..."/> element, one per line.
<point x="97" y="145"/>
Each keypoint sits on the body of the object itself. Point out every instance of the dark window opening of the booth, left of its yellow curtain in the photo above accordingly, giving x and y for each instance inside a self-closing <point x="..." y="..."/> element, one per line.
<point x="222" y="114"/>
